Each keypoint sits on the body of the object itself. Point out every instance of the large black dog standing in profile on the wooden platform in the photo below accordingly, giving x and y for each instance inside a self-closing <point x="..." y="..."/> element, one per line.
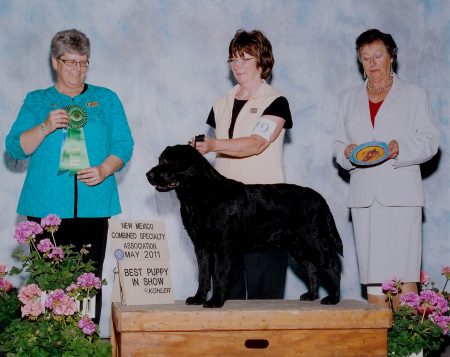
<point x="223" y="217"/>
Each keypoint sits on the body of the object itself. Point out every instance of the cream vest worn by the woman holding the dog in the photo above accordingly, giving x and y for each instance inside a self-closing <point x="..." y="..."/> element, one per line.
<point x="267" y="167"/>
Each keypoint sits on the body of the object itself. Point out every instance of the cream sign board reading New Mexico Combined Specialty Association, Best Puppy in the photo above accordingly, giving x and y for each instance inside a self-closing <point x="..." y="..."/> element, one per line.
<point x="142" y="254"/>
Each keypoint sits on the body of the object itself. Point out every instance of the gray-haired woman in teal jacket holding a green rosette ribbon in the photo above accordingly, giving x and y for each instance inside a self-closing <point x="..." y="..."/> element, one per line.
<point x="76" y="137"/>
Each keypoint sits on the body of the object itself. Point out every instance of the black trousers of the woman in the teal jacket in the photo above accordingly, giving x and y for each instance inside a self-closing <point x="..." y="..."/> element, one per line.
<point x="81" y="231"/>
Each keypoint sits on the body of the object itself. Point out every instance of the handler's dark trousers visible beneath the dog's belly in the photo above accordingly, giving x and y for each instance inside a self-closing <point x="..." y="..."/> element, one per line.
<point x="260" y="275"/>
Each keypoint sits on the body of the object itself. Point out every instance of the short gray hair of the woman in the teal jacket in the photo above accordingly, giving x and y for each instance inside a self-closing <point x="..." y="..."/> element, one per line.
<point x="72" y="41"/>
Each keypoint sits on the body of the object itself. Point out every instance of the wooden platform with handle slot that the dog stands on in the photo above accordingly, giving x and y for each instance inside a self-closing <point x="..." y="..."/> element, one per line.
<point x="254" y="327"/>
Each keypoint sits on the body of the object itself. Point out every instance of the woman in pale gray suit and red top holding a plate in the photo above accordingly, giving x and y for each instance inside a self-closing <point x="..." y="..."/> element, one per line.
<point x="386" y="199"/>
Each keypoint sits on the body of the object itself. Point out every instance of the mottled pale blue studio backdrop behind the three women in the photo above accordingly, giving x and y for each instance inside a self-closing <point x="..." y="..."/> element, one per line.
<point x="167" y="62"/>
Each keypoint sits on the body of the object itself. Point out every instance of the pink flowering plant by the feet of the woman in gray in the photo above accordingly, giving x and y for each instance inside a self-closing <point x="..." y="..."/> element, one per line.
<point x="422" y="320"/>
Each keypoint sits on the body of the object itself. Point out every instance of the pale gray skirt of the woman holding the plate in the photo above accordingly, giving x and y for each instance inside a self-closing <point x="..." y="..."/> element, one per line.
<point x="388" y="243"/>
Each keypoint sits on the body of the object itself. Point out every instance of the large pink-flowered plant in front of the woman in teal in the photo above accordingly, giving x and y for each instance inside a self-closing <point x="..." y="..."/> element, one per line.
<point x="47" y="320"/>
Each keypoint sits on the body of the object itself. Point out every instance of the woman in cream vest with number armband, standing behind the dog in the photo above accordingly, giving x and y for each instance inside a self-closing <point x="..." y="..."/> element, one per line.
<point x="250" y="123"/>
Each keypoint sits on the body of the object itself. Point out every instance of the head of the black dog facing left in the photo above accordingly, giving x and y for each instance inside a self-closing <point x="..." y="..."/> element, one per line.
<point x="176" y="166"/>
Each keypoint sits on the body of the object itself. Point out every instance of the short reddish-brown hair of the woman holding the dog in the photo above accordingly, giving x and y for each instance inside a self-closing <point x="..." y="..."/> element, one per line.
<point x="255" y="44"/>
